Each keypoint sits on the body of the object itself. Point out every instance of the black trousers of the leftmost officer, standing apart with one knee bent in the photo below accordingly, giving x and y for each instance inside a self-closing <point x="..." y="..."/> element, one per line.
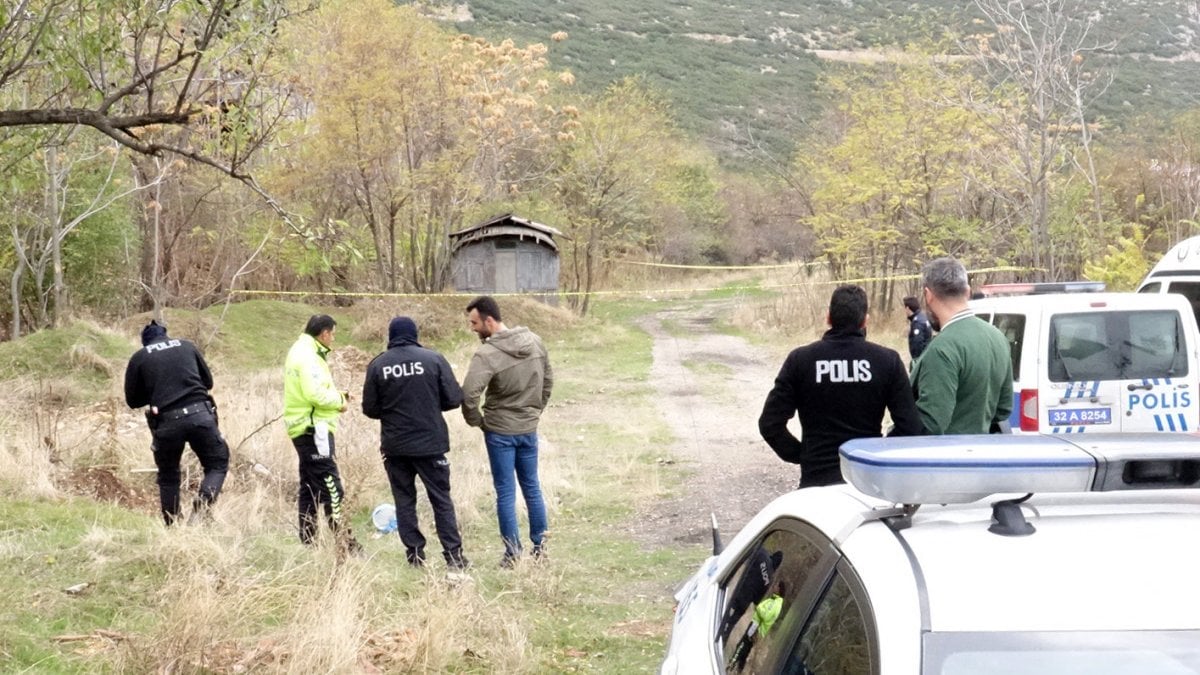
<point x="199" y="431"/>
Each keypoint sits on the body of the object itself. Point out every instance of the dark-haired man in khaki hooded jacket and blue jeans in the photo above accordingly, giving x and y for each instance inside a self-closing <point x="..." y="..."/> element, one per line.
<point x="513" y="369"/>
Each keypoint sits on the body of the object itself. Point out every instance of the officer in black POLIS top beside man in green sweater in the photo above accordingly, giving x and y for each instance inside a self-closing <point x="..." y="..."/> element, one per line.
<point x="841" y="387"/>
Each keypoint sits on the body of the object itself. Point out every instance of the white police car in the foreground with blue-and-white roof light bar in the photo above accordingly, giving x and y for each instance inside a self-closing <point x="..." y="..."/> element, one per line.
<point x="1091" y="569"/>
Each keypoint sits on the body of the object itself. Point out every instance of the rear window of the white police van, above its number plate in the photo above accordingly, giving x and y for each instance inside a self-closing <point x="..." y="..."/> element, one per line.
<point x="1119" y="345"/>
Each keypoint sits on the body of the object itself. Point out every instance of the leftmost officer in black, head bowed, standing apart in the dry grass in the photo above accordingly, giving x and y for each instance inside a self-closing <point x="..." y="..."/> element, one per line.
<point x="171" y="377"/>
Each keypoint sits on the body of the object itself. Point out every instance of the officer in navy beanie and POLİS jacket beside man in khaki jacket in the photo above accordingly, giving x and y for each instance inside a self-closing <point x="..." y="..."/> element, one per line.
<point x="409" y="389"/>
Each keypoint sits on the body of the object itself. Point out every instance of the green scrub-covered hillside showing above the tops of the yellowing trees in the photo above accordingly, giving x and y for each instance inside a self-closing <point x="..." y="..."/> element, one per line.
<point x="751" y="73"/>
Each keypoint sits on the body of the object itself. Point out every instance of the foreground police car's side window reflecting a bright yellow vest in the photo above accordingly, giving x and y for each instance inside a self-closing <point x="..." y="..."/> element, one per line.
<point x="772" y="589"/>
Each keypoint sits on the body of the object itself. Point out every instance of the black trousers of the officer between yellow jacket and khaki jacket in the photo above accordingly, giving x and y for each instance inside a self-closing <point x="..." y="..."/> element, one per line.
<point x="435" y="473"/>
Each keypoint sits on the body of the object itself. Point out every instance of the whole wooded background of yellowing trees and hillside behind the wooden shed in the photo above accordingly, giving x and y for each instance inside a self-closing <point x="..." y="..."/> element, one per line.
<point x="195" y="154"/>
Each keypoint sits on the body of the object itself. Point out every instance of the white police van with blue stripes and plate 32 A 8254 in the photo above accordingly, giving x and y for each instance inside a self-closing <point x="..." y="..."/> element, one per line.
<point x="1097" y="362"/>
